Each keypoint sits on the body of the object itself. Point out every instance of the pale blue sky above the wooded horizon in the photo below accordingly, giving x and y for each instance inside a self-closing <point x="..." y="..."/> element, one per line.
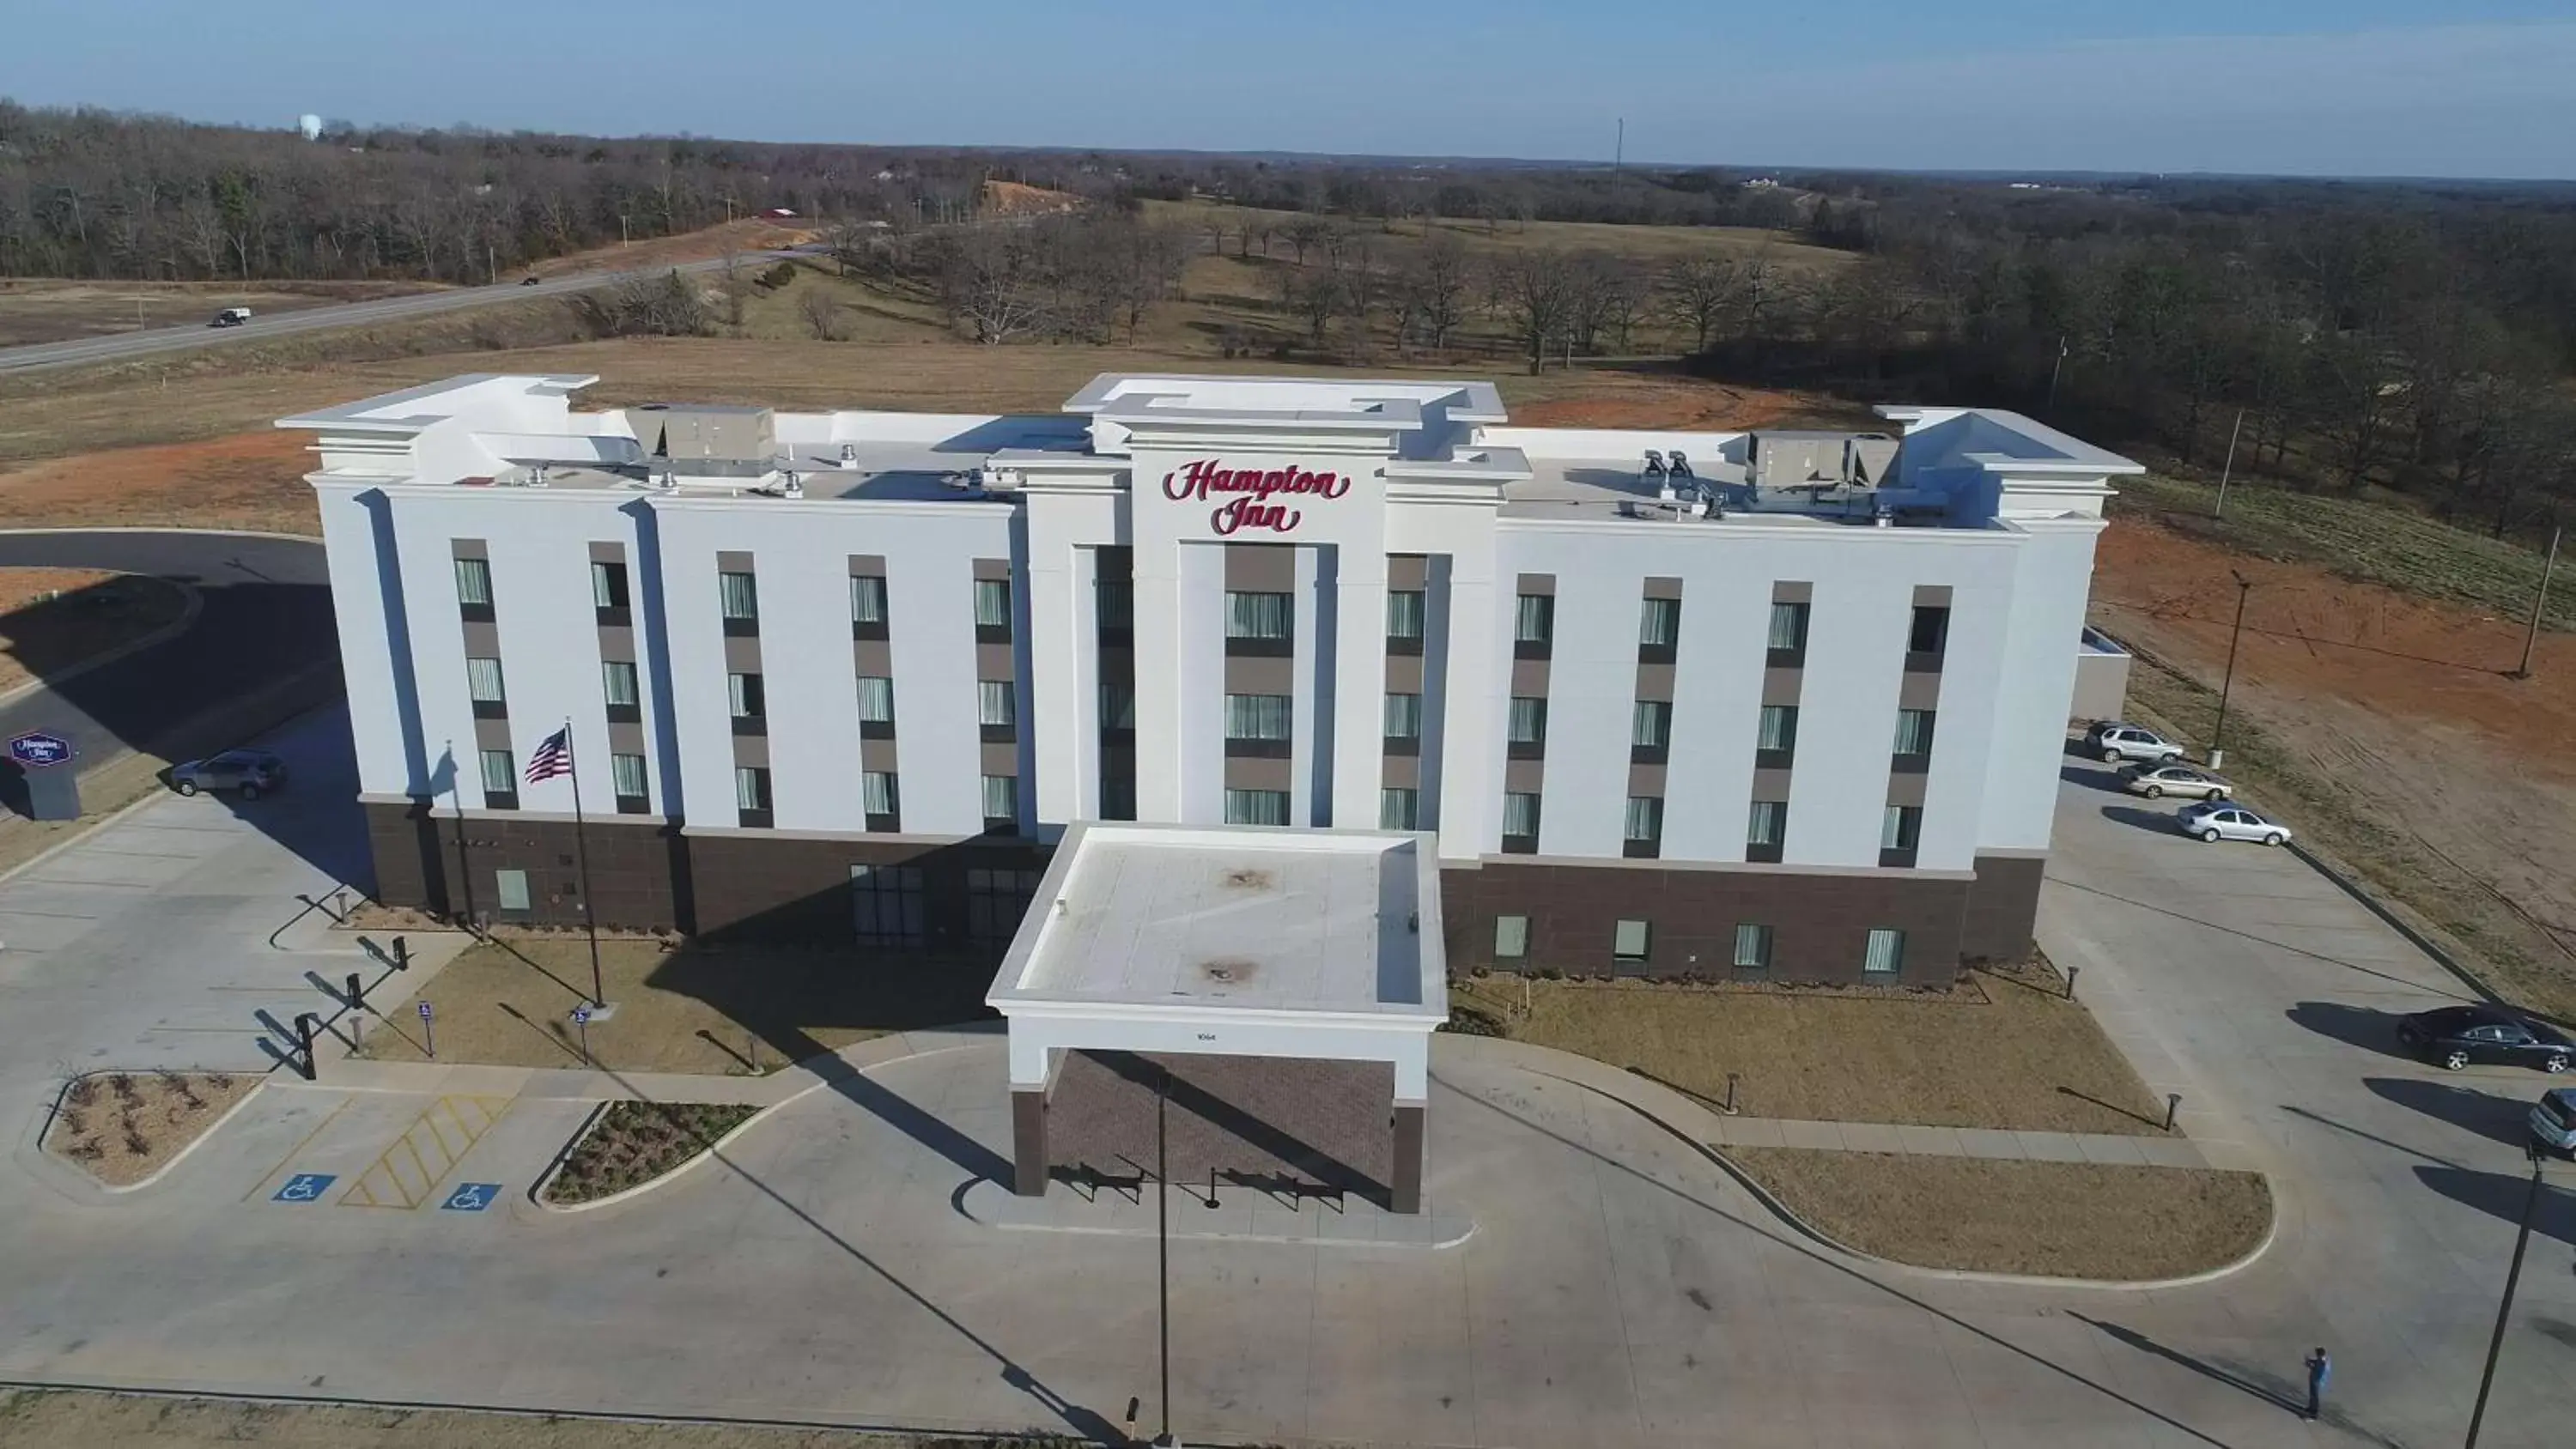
<point x="2278" y="86"/>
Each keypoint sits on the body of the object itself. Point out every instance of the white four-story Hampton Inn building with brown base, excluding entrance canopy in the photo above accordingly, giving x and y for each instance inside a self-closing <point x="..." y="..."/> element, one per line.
<point x="1797" y="712"/>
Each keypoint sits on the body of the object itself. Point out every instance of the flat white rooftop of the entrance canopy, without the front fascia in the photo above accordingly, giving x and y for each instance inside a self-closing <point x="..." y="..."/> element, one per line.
<point x="1235" y="920"/>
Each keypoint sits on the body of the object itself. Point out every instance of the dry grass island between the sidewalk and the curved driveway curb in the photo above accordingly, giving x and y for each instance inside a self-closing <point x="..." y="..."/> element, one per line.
<point x="2080" y="1221"/>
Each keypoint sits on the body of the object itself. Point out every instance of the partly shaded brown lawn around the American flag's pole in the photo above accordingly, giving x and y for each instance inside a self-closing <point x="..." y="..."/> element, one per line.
<point x="687" y="1008"/>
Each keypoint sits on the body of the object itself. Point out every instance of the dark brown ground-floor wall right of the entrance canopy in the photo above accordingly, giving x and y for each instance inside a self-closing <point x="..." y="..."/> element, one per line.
<point x="1820" y="923"/>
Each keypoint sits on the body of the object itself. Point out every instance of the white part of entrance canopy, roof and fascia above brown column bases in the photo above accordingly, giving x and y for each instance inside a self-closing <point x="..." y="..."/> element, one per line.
<point x="1230" y="941"/>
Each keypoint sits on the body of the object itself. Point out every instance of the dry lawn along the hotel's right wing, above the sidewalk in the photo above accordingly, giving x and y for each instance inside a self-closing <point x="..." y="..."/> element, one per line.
<point x="2000" y="1051"/>
